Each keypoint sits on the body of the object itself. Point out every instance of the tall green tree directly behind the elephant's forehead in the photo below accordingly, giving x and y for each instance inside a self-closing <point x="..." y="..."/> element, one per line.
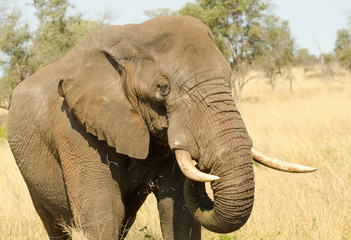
<point x="235" y="25"/>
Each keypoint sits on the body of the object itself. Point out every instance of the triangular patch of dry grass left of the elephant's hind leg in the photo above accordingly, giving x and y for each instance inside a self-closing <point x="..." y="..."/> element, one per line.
<point x="18" y="219"/>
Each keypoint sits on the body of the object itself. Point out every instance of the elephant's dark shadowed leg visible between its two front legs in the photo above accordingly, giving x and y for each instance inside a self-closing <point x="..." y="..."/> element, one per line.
<point x="133" y="202"/>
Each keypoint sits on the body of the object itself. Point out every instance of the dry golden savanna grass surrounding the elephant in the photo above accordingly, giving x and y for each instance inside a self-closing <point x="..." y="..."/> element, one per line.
<point x="310" y="125"/>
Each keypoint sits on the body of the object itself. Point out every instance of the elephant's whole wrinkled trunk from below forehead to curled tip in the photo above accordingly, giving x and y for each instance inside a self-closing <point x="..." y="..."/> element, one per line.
<point x="214" y="134"/>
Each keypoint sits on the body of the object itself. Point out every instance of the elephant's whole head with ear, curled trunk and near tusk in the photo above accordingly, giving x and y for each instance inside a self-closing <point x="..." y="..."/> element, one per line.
<point x="165" y="81"/>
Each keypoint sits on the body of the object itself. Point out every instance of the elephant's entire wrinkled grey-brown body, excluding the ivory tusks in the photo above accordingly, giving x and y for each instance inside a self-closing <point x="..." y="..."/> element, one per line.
<point x="95" y="133"/>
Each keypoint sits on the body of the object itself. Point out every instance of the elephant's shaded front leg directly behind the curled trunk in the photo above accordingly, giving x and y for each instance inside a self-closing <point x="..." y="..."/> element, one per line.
<point x="176" y="221"/>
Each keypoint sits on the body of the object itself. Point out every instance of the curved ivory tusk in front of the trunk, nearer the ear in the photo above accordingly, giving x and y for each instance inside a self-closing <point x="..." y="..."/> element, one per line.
<point x="190" y="171"/>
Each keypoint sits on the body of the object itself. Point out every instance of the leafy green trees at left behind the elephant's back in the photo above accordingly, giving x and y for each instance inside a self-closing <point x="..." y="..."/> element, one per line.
<point x="24" y="52"/>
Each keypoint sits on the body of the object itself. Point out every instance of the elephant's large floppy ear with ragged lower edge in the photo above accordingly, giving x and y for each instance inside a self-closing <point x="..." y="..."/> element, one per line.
<point x="94" y="83"/>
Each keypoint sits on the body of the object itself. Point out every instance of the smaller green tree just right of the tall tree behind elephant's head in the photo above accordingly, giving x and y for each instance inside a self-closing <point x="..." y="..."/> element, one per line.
<point x="276" y="49"/>
